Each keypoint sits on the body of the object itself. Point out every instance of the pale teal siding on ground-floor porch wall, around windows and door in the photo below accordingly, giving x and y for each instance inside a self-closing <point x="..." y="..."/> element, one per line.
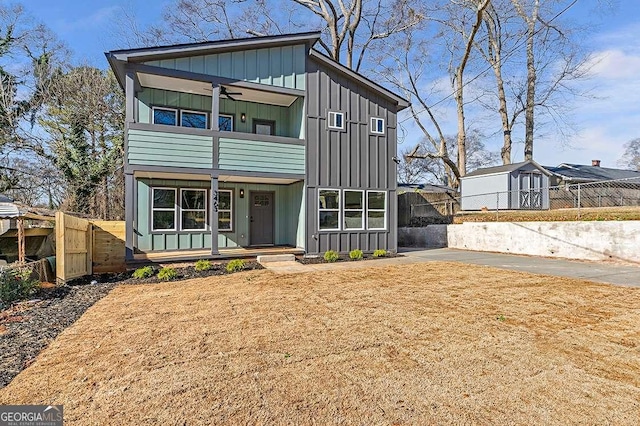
<point x="289" y="217"/>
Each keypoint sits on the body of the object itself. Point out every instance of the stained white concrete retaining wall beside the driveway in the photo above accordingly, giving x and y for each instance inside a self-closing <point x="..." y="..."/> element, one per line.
<point x="573" y="240"/>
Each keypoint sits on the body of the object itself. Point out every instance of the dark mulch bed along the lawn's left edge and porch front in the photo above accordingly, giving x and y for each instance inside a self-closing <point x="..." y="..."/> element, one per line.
<point x="28" y="327"/>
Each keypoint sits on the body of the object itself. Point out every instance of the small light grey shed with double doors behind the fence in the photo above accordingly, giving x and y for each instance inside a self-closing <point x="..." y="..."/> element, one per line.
<point x="518" y="186"/>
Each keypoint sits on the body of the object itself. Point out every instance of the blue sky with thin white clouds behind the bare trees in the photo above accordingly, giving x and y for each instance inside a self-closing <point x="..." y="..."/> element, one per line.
<point x="605" y="122"/>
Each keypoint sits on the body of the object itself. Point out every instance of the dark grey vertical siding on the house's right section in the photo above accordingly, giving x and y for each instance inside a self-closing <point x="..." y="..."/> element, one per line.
<point x="349" y="159"/>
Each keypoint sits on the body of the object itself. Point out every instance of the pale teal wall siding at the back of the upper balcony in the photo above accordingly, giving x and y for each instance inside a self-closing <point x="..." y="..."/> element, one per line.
<point x="289" y="121"/>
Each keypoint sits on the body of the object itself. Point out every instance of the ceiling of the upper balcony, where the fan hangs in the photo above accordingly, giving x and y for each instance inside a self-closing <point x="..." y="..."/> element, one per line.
<point x="204" y="88"/>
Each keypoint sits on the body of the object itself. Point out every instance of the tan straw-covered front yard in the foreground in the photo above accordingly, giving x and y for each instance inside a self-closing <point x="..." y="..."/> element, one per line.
<point x="430" y="343"/>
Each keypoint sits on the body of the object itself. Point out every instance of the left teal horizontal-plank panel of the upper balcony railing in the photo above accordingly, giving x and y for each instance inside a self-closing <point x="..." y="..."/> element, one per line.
<point x="154" y="148"/>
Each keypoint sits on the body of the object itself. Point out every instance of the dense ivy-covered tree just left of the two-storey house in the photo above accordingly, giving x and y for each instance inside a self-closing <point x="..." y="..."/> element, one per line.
<point x="84" y="119"/>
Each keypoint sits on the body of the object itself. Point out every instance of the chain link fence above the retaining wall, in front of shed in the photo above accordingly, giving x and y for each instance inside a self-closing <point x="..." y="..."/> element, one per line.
<point x="580" y="197"/>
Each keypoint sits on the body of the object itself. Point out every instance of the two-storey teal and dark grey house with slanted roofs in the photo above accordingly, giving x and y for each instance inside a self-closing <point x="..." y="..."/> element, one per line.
<point x="255" y="142"/>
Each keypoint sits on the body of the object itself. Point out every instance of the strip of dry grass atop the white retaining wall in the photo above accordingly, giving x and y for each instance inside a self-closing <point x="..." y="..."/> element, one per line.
<point x="600" y="213"/>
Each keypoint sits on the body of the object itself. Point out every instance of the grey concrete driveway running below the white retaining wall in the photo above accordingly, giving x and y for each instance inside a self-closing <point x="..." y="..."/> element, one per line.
<point x="610" y="273"/>
